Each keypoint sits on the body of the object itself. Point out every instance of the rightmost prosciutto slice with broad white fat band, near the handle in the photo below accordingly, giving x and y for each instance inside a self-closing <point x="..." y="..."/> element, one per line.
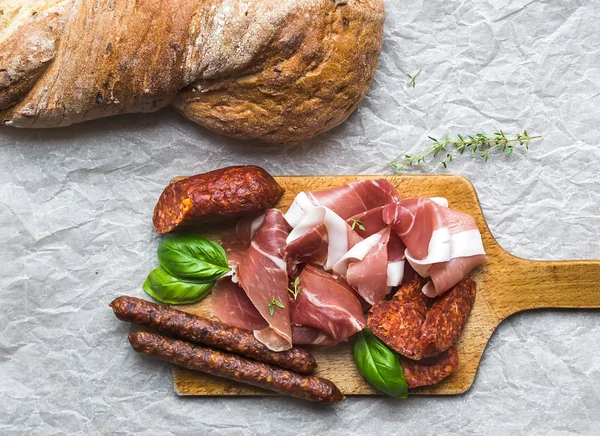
<point x="441" y="243"/>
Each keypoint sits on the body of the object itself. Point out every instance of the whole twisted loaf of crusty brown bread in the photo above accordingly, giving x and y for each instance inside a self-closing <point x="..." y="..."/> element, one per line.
<point x="273" y="70"/>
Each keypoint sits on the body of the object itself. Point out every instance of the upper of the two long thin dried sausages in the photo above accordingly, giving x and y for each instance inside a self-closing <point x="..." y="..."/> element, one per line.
<point x="208" y="332"/>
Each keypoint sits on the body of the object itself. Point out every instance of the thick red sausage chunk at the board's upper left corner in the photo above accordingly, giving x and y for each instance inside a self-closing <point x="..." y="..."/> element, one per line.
<point x="223" y="194"/>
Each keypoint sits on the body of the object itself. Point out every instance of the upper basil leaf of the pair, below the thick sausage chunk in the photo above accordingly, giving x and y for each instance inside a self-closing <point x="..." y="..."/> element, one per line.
<point x="193" y="258"/>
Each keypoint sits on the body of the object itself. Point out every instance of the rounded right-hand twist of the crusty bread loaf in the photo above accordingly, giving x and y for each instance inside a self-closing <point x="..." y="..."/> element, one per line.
<point x="309" y="79"/>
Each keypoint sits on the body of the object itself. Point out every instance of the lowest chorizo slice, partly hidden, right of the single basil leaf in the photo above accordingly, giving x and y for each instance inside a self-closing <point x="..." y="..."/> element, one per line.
<point x="429" y="371"/>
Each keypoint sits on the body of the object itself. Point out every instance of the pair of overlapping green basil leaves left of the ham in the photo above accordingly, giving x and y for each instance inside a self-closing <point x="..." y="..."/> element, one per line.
<point x="189" y="269"/>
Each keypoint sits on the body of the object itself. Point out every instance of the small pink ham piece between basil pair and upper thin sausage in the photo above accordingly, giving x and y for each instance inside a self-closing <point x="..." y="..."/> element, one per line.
<point x="232" y="306"/>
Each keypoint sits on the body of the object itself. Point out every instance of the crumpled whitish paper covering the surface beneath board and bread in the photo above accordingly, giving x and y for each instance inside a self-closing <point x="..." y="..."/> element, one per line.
<point x="75" y="208"/>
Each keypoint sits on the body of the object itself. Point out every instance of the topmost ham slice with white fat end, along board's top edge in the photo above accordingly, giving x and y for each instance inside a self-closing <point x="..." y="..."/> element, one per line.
<point x="345" y="201"/>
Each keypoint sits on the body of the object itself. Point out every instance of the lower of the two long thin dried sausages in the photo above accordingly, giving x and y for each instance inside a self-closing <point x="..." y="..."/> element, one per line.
<point x="236" y="368"/>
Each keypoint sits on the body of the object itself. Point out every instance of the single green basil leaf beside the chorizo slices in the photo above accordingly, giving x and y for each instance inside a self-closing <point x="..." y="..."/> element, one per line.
<point x="379" y="365"/>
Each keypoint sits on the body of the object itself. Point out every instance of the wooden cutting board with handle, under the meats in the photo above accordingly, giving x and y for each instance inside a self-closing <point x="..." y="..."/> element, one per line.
<point x="505" y="285"/>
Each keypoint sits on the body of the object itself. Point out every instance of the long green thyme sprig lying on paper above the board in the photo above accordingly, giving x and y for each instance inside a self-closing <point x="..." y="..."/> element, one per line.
<point x="479" y="143"/>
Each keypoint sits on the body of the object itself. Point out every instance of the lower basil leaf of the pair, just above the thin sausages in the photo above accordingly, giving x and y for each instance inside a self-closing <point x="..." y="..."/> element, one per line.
<point x="165" y="288"/>
